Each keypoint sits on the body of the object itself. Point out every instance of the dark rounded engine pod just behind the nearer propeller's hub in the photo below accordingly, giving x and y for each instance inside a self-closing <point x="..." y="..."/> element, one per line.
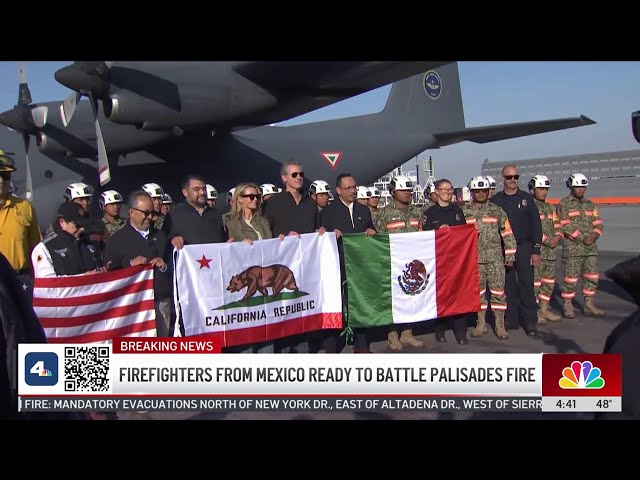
<point x="126" y="108"/>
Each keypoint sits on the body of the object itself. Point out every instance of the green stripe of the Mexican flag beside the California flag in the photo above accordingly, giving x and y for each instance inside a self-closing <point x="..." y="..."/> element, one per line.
<point x="368" y="268"/>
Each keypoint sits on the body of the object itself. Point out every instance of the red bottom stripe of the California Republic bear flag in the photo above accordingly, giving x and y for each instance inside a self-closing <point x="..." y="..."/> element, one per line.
<point x="251" y="335"/>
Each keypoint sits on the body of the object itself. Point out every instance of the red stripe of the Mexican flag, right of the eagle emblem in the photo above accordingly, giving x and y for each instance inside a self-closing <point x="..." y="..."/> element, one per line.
<point x="457" y="281"/>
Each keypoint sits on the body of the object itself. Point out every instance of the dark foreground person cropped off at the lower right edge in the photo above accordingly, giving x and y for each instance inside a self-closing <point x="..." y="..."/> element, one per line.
<point x="624" y="339"/>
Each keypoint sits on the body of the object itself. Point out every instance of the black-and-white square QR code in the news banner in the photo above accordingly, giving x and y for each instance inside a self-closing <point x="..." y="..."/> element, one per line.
<point x="86" y="369"/>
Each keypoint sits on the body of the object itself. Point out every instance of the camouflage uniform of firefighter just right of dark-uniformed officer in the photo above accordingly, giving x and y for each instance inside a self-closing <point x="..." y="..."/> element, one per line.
<point x="544" y="274"/>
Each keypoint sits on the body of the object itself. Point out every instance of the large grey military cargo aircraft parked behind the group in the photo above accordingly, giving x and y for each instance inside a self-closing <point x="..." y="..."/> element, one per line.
<point x="156" y="121"/>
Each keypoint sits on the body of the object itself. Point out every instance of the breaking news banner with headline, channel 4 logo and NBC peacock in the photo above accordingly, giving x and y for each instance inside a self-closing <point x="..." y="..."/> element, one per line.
<point x="181" y="374"/>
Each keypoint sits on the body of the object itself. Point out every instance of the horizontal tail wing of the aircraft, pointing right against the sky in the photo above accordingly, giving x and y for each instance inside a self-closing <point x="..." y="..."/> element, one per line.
<point x="493" y="133"/>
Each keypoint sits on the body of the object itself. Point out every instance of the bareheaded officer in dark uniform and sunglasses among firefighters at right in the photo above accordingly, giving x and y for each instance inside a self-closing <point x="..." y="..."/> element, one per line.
<point x="527" y="229"/>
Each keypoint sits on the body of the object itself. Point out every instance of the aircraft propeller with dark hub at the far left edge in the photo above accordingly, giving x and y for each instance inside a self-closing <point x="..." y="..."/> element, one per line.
<point x="25" y="119"/>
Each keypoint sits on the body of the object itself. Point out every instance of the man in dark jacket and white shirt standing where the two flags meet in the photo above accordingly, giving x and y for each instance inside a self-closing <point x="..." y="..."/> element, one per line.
<point x="346" y="216"/>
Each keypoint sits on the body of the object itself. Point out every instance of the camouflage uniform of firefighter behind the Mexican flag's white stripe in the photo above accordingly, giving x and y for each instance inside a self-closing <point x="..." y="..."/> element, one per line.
<point x="391" y="219"/>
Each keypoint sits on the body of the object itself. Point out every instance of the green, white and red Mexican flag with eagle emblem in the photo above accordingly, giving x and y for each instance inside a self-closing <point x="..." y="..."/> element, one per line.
<point x="411" y="277"/>
